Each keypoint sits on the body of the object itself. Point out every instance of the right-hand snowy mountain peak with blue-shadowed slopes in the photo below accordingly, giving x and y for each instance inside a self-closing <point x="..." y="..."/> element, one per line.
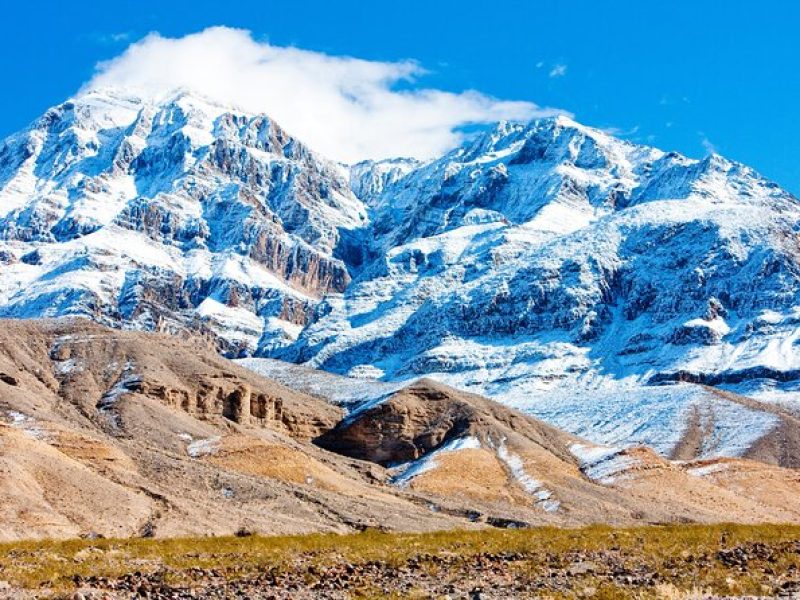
<point x="548" y="264"/>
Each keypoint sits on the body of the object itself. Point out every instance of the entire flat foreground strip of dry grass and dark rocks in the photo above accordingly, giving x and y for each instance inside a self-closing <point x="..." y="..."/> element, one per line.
<point x="673" y="561"/>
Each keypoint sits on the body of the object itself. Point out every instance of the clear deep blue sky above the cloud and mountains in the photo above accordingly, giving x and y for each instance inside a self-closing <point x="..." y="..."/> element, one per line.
<point x="686" y="76"/>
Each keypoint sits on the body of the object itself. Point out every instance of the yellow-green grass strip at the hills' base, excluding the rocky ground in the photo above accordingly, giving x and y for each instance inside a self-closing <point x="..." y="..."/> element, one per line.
<point x="665" y="550"/>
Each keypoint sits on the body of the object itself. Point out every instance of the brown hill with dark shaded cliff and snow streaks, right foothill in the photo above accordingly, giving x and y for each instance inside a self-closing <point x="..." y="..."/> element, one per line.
<point x="465" y="446"/>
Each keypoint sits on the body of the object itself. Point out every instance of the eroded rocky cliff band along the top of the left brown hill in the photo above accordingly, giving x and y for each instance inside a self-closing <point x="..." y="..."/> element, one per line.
<point x="94" y="368"/>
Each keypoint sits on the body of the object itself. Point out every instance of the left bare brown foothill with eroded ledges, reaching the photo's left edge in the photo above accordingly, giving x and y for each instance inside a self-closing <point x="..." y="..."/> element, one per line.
<point x="121" y="433"/>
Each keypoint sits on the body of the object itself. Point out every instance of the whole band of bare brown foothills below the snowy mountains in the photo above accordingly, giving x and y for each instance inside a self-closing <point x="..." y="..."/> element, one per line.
<point x="131" y="434"/>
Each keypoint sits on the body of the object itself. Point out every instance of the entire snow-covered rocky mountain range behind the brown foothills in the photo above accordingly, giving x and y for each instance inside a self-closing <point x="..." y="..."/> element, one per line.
<point x="547" y="265"/>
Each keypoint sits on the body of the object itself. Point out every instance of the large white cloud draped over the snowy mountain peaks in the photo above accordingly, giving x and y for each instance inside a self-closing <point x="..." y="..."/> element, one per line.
<point x="346" y="108"/>
